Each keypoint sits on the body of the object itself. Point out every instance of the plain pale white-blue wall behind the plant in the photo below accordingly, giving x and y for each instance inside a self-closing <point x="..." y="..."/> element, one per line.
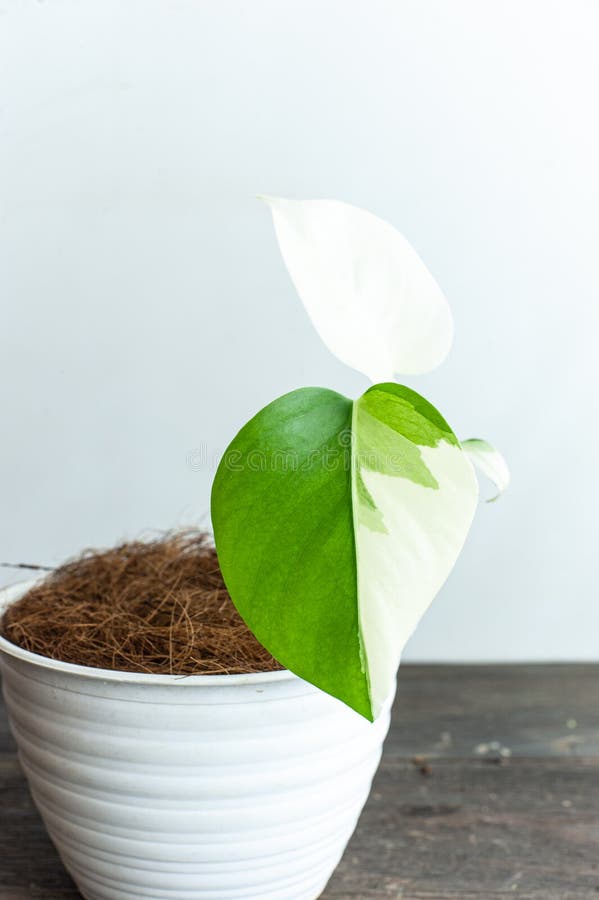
<point x="145" y="312"/>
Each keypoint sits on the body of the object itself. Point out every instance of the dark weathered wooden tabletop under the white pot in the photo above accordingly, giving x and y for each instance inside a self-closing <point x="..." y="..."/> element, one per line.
<point x="489" y="787"/>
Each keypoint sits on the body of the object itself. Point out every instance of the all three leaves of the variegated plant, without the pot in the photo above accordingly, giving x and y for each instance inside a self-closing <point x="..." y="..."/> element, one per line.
<point x="337" y="521"/>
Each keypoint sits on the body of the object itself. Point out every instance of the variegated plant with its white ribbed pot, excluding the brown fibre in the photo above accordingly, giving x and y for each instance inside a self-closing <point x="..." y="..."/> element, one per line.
<point x="335" y="522"/>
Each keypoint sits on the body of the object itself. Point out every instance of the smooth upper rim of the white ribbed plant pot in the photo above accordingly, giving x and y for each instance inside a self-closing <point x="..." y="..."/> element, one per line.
<point x="12" y="592"/>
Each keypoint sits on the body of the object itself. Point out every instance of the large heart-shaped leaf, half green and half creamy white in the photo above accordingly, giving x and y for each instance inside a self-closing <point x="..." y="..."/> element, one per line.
<point x="336" y="523"/>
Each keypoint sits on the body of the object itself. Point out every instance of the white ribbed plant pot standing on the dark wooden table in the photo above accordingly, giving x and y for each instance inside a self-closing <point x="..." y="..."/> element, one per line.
<point x="201" y="787"/>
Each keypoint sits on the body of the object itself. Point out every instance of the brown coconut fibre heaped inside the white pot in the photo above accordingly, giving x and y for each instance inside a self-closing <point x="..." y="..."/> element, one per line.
<point x="146" y="606"/>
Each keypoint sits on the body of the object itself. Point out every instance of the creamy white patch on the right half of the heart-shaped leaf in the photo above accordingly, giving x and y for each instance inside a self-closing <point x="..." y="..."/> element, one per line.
<point x="401" y="569"/>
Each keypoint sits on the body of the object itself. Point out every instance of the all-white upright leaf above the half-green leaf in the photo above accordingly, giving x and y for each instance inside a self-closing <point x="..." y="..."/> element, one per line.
<point x="369" y="295"/>
